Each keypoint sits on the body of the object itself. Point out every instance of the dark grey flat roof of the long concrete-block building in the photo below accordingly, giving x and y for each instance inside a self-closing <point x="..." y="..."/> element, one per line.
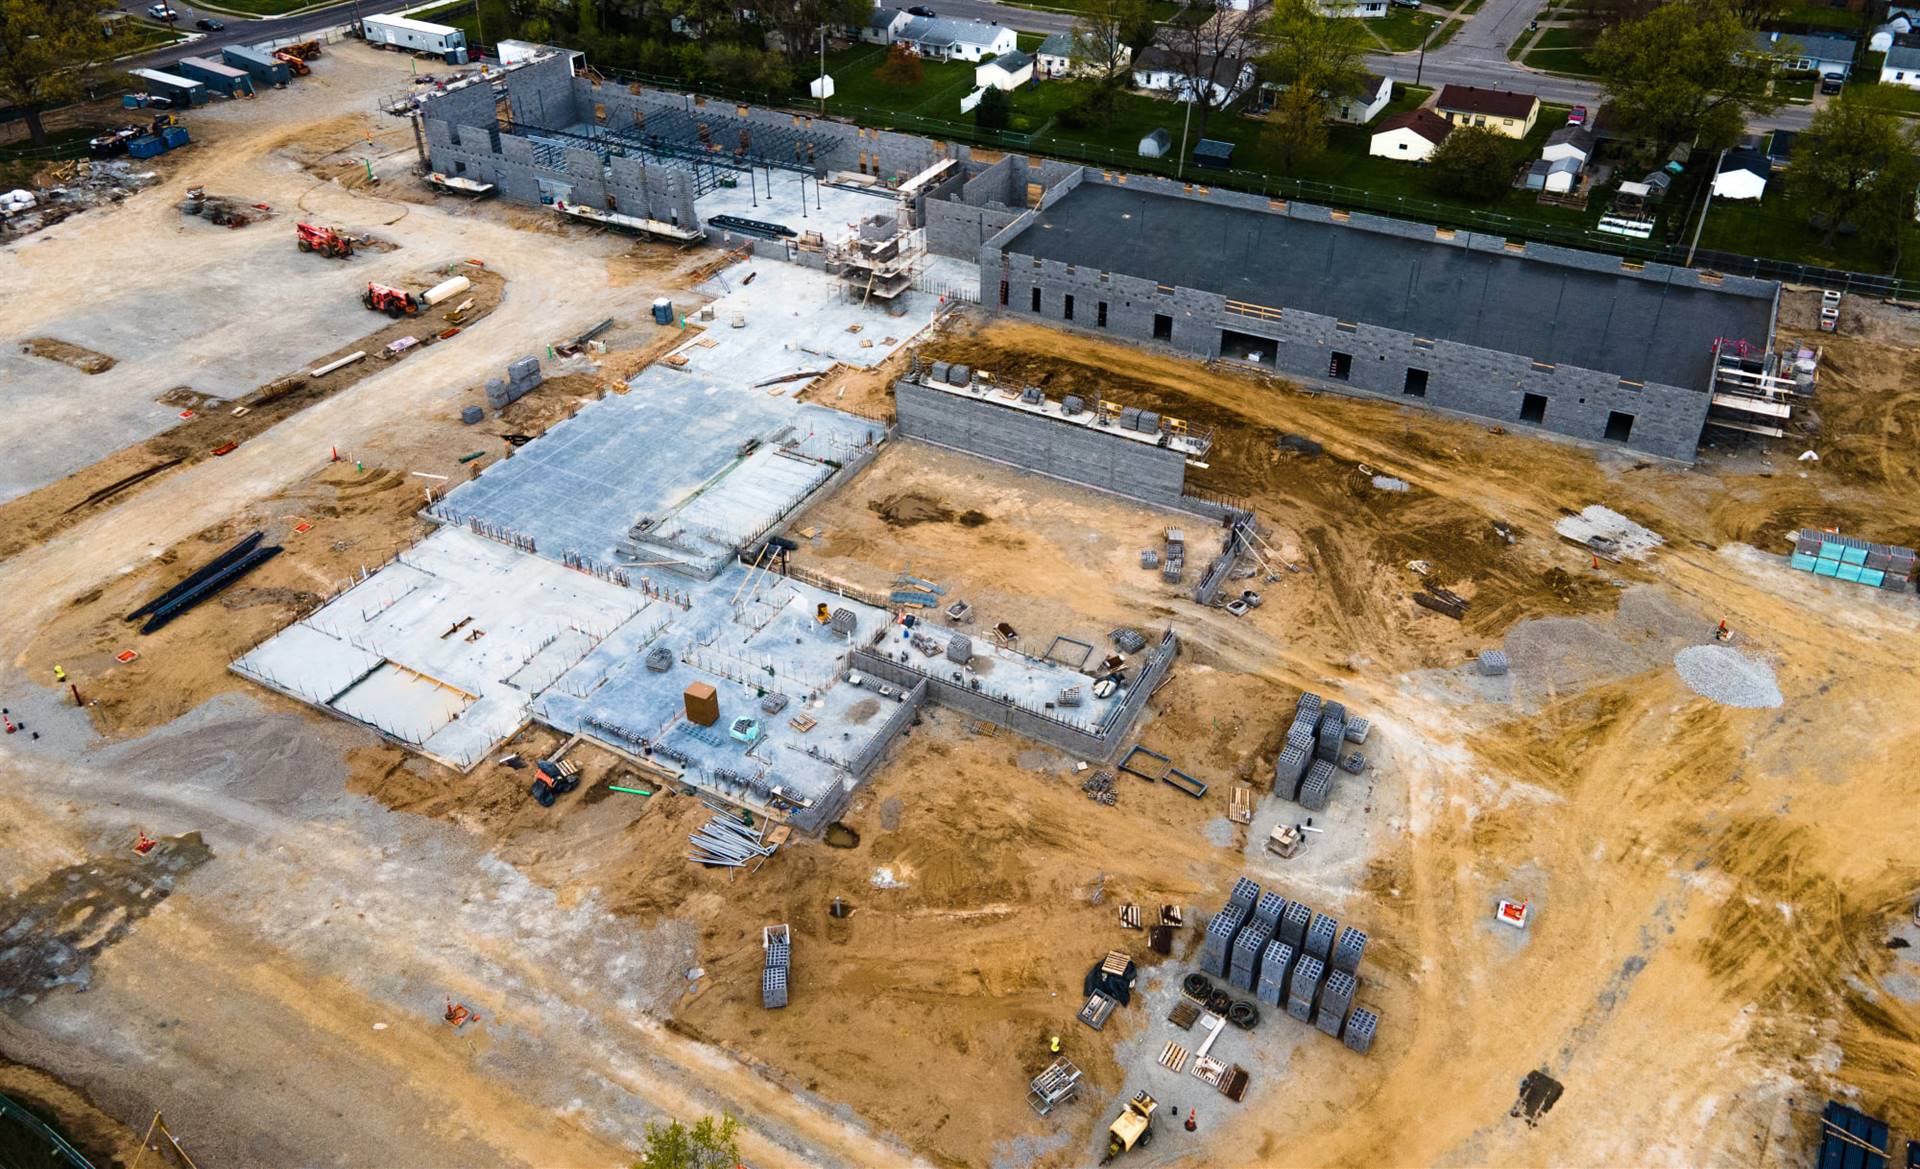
<point x="1537" y="308"/>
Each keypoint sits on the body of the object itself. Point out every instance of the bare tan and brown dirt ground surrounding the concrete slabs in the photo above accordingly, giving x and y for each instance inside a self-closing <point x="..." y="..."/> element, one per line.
<point x="1714" y="888"/>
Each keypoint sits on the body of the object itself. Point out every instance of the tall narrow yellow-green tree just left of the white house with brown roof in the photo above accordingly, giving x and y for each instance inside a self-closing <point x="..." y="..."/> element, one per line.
<point x="1312" y="59"/>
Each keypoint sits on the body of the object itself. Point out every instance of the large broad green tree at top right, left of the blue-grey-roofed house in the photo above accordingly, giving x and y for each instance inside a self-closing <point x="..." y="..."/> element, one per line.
<point x="1677" y="76"/>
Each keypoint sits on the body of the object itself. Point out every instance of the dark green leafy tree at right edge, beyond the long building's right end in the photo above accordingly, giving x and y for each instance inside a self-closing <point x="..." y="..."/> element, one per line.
<point x="1848" y="164"/>
